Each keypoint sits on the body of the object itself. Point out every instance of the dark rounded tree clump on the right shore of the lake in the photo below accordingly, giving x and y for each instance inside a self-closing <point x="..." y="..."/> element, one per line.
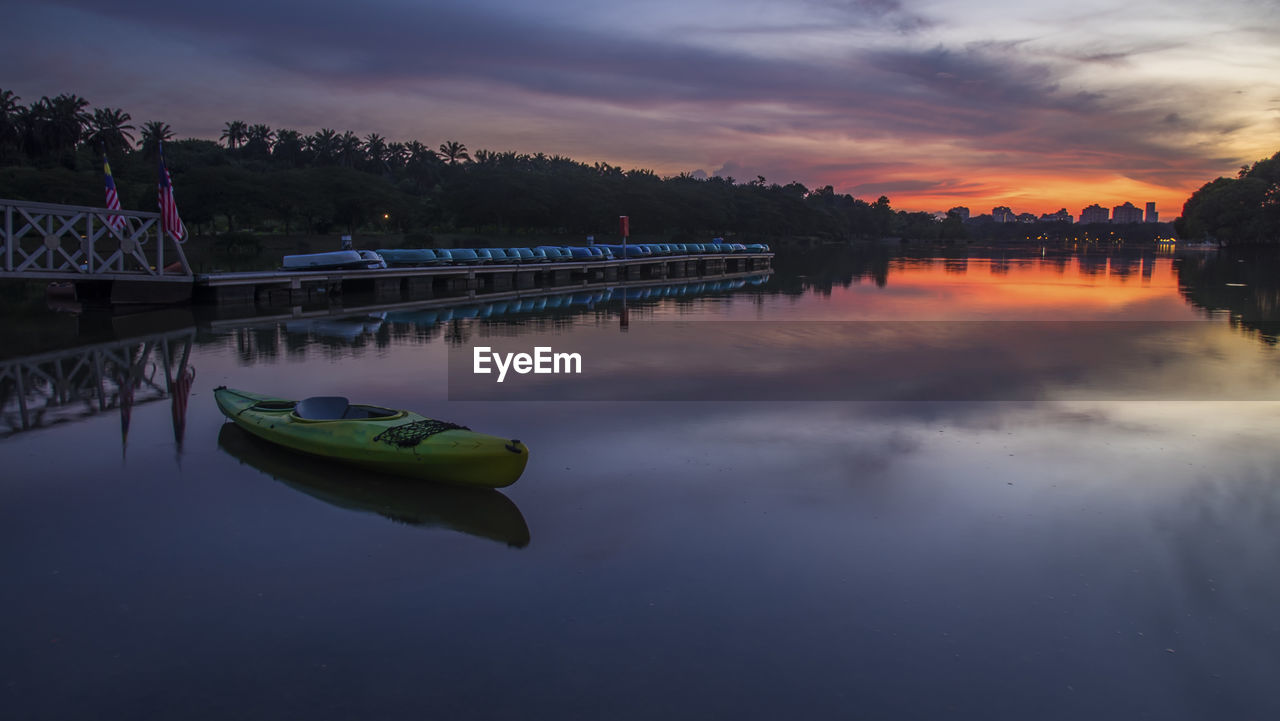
<point x="1245" y="209"/>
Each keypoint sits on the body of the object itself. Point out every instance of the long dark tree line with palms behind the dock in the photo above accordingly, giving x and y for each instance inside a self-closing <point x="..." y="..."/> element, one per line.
<point x="260" y="177"/>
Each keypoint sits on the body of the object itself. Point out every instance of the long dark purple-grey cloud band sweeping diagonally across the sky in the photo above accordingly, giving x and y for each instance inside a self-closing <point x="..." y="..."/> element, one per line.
<point x="986" y="97"/>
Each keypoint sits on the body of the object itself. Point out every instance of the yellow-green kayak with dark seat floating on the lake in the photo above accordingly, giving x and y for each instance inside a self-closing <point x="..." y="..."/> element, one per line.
<point x="383" y="440"/>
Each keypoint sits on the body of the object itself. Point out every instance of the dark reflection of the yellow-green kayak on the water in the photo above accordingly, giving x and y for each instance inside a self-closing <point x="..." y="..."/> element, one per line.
<point x="476" y="512"/>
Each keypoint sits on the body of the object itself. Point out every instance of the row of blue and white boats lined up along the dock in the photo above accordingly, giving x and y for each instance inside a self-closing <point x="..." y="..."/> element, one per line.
<point x="412" y="258"/>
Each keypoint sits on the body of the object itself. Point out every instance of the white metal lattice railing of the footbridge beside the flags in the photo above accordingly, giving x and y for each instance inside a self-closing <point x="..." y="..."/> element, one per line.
<point x="71" y="243"/>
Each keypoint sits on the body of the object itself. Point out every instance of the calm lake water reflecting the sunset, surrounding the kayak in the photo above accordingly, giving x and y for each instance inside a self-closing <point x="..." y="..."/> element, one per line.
<point x="877" y="485"/>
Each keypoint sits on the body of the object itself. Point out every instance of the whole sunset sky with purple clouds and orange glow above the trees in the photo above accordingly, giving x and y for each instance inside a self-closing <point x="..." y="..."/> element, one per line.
<point x="1031" y="104"/>
